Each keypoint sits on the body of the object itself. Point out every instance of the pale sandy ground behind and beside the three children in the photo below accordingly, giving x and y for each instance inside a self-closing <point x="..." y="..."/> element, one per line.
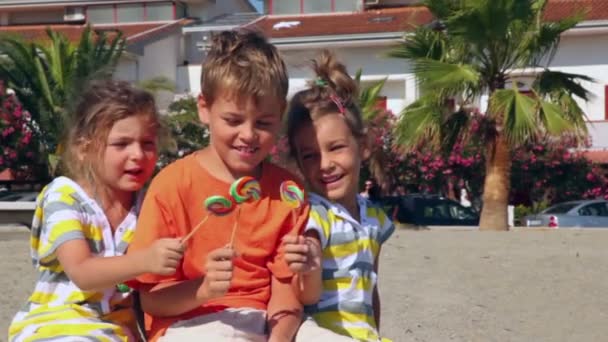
<point x="451" y="285"/>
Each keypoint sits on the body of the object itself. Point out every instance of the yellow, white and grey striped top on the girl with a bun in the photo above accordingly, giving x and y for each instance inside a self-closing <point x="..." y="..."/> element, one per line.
<point x="350" y="249"/>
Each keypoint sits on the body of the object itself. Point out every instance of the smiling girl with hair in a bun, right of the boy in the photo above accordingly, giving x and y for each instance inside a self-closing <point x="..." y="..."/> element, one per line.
<point x="338" y="284"/>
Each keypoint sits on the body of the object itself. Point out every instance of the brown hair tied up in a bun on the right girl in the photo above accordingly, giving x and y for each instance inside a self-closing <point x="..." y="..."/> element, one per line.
<point x="333" y="91"/>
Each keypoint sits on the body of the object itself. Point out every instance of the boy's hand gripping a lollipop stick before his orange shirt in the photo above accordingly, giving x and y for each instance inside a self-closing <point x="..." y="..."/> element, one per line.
<point x="218" y="272"/>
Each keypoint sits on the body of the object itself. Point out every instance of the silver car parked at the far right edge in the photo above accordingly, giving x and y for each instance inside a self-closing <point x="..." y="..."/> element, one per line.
<point x="584" y="213"/>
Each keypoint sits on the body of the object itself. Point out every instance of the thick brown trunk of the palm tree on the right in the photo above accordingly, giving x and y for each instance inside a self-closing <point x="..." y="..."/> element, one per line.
<point x="496" y="186"/>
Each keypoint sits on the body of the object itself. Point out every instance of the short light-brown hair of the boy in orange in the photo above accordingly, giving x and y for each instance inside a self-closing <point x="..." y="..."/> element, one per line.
<point x="243" y="63"/>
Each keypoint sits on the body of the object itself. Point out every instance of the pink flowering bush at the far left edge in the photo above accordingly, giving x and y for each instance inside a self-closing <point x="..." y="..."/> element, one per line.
<point x="18" y="148"/>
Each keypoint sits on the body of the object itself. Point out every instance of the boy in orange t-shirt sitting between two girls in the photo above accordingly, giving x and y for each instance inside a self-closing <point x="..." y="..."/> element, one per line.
<point x="223" y="293"/>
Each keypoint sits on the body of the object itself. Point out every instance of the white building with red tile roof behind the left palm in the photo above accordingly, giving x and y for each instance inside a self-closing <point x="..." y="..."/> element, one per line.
<point x="156" y="44"/>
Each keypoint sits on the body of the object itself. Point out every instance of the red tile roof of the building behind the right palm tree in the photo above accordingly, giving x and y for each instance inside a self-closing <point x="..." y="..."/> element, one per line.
<point x="397" y="19"/>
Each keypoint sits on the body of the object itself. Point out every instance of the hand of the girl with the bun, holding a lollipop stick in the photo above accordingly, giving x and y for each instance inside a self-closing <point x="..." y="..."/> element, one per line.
<point x="302" y="253"/>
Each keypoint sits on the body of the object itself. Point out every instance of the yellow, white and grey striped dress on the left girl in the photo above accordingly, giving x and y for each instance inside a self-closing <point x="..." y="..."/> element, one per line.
<point x="58" y="310"/>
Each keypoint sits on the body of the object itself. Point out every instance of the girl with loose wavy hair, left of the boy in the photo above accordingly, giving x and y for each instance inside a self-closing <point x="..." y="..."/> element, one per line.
<point x="84" y="222"/>
